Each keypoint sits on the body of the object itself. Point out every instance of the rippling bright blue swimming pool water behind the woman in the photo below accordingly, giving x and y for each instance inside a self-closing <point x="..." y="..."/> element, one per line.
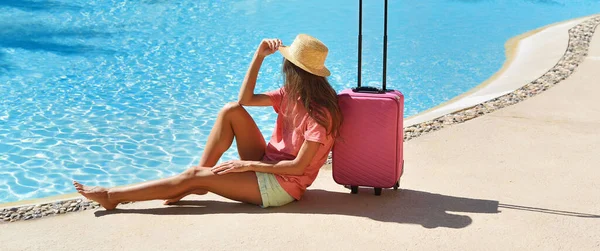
<point x="110" y="92"/>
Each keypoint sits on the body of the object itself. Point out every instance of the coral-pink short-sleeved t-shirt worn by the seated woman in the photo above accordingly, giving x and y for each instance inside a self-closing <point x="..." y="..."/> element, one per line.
<point x="287" y="140"/>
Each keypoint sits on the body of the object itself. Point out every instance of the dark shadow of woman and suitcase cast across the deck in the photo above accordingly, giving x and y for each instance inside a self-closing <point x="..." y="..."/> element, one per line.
<point x="403" y="206"/>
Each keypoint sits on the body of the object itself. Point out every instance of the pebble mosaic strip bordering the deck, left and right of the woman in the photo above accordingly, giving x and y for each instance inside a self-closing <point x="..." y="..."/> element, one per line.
<point x="579" y="40"/>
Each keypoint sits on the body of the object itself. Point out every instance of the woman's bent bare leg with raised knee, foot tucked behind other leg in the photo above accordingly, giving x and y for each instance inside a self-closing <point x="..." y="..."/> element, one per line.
<point x="232" y="122"/>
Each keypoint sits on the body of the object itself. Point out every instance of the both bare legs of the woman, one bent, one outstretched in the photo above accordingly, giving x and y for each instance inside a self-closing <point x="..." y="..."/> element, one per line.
<point x="232" y="122"/>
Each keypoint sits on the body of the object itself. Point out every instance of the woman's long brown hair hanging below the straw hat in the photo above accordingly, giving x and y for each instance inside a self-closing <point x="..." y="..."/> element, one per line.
<point x="315" y="94"/>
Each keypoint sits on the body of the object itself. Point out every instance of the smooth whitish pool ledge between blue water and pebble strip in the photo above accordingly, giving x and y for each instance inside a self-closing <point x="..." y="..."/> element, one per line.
<point x="516" y="55"/>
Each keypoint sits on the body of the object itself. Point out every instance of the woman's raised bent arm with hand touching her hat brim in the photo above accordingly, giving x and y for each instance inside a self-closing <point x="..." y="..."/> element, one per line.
<point x="247" y="96"/>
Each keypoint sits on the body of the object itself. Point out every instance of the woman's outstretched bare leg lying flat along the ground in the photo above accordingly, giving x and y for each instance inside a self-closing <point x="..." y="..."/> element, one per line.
<point x="236" y="186"/>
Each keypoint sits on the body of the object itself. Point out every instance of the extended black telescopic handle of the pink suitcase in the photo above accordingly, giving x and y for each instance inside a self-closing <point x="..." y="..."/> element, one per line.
<point x="369" y="89"/>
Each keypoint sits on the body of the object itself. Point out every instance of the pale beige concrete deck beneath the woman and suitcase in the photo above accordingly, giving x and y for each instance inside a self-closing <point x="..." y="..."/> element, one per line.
<point x="521" y="178"/>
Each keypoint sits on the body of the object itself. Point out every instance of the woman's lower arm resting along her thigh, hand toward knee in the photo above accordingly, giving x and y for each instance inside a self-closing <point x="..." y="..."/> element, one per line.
<point x="286" y="167"/>
